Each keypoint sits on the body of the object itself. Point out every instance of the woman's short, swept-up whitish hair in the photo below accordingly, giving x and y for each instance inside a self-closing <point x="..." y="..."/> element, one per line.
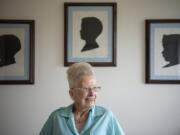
<point x="77" y="70"/>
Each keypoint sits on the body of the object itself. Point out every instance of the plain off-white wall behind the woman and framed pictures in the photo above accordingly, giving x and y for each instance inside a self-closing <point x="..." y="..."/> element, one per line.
<point x="143" y="109"/>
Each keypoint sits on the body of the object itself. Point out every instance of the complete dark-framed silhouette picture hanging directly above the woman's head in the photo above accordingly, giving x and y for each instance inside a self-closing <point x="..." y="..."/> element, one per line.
<point x="90" y="33"/>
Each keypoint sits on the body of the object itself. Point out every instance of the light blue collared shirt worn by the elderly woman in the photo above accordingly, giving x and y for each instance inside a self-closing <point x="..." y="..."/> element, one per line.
<point x="100" y="122"/>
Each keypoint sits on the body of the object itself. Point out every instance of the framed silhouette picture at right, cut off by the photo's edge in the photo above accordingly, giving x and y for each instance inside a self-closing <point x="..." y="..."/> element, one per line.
<point x="163" y="51"/>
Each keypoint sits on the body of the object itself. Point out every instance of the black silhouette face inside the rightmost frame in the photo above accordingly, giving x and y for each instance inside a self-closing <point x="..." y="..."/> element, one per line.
<point x="171" y="52"/>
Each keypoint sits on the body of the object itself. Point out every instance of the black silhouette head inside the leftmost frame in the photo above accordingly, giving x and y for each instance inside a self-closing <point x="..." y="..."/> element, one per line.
<point x="9" y="46"/>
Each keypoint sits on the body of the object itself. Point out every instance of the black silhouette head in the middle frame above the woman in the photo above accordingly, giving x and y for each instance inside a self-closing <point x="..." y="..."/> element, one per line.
<point x="91" y="27"/>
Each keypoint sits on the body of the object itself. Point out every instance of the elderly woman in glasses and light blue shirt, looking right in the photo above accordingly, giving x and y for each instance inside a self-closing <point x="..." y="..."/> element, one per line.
<point x="82" y="117"/>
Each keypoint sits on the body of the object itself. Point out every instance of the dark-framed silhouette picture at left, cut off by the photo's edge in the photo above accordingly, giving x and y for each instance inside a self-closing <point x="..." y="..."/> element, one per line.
<point x="17" y="51"/>
